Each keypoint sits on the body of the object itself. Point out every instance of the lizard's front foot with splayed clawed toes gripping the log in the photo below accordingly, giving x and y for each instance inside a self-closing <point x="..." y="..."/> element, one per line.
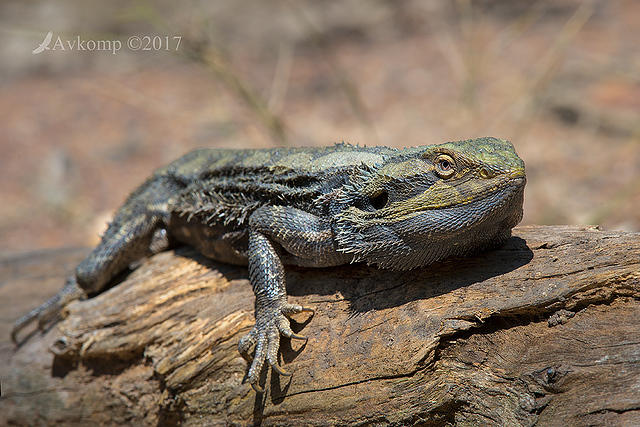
<point x="270" y="324"/>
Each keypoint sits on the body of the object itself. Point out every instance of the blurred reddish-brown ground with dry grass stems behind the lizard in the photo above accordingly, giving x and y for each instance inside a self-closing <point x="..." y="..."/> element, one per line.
<point x="82" y="128"/>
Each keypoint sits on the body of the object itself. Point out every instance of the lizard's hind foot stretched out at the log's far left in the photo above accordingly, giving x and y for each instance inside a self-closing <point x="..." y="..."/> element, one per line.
<point x="50" y="310"/>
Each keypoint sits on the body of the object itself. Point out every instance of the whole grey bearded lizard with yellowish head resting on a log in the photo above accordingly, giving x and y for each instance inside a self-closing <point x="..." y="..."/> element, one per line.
<point x="312" y="207"/>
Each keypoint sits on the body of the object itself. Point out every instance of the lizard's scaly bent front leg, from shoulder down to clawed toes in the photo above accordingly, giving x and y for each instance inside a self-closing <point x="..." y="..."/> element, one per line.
<point x="310" y="240"/>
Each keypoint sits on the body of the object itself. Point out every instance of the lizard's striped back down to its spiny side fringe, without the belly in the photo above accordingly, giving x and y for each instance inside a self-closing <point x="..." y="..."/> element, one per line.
<point x="225" y="186"/>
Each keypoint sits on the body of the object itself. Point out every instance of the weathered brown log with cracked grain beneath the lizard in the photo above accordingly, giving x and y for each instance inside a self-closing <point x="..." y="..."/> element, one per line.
<point x="545" y="329"/>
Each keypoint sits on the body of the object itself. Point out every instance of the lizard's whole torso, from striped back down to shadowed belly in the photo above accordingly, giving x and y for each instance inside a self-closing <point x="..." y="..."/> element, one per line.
<point x="220" y="189"/>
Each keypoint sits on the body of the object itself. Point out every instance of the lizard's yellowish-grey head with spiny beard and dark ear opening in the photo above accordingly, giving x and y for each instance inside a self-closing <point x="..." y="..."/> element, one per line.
<point x="430" y="202"/>
